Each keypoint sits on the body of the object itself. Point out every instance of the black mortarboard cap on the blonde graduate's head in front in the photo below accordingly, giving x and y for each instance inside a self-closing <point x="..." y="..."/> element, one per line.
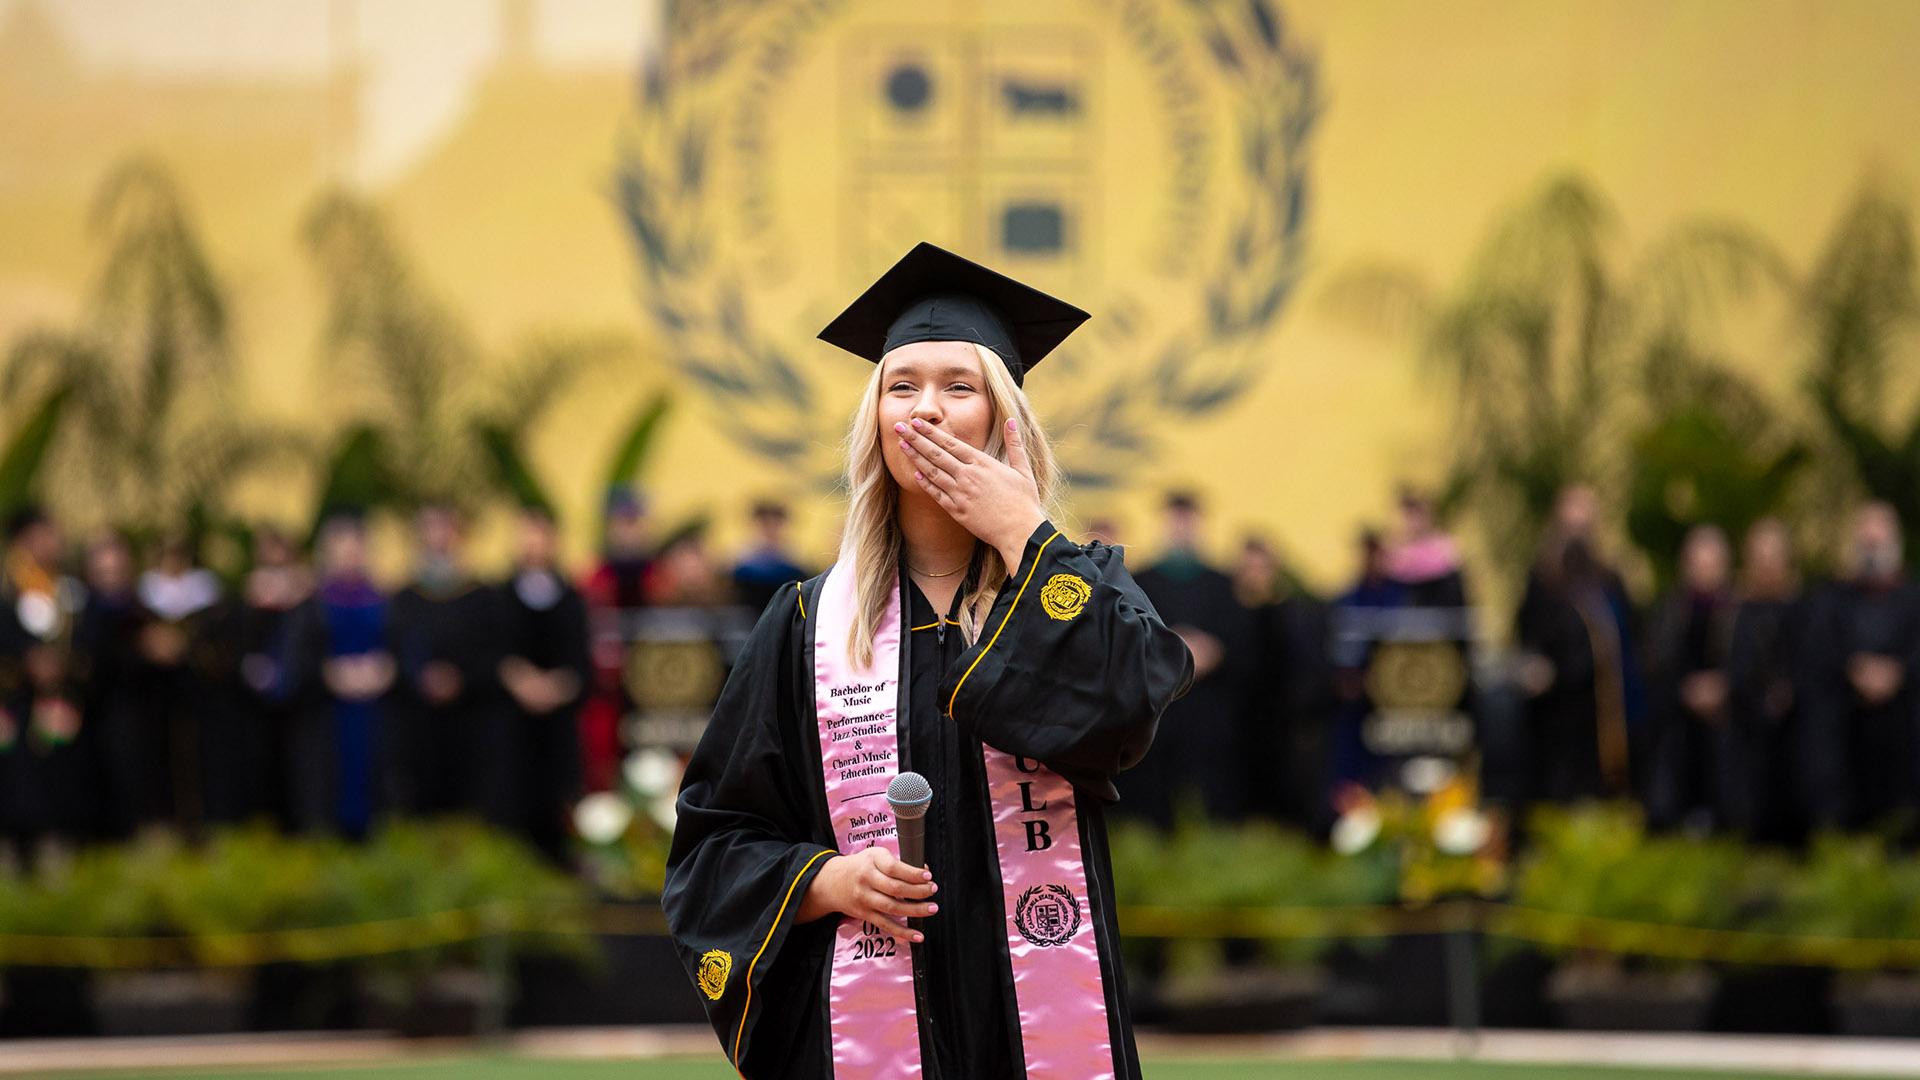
<point x="934" y="295"/>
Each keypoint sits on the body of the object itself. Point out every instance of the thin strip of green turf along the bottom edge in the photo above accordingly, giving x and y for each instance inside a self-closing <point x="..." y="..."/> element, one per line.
<point x="1157" y="1069"/>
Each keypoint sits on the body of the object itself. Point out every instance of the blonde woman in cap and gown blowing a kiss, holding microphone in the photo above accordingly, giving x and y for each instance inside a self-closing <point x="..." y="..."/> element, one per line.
<point x="961" y="637"/>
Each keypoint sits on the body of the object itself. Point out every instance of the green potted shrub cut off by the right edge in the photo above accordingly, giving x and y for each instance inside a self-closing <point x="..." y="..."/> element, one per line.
<point x="1858" y="887"/>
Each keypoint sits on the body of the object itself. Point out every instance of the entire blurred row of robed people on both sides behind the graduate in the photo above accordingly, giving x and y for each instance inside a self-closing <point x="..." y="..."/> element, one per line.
<point x="1744" y="700"/>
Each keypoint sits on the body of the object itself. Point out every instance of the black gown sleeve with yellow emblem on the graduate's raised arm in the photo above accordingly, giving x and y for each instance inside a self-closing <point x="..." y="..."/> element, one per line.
<point x="1072" y="666"/>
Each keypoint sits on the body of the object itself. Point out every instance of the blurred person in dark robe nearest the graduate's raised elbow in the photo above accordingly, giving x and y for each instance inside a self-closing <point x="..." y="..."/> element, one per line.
<point x="1203" y="747"/>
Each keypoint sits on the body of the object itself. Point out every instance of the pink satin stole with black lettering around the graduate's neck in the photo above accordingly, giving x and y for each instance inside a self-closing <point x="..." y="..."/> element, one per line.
<point x="1049" y="921"/>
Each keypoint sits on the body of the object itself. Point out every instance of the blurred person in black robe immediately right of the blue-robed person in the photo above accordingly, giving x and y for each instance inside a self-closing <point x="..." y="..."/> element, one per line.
<point x="450" y="714"/>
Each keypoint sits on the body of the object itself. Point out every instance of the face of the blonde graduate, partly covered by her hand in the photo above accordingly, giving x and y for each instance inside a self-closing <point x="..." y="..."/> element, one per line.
<point x="938" y="383"/>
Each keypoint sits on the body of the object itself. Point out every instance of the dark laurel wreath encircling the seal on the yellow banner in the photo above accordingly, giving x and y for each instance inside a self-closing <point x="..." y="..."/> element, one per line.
<point x="1149" y="380"/>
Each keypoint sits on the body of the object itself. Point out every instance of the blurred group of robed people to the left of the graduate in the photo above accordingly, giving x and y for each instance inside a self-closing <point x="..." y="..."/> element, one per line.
<point x="137" y="697"/>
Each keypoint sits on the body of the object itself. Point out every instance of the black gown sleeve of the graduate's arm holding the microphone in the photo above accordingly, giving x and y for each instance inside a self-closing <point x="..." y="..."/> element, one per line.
<point x="748" y="845"/>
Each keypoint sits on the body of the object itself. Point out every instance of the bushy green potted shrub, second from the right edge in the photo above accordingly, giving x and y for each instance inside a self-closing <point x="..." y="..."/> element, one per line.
<point x="1618" y="906"/>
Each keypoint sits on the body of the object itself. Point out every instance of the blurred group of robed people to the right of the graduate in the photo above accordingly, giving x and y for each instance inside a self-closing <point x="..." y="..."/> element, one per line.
<point x="1744" y="700"/>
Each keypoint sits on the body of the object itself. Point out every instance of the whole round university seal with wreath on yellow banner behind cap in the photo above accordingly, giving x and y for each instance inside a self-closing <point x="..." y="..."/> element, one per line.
<point x="1145" y="159"/>
